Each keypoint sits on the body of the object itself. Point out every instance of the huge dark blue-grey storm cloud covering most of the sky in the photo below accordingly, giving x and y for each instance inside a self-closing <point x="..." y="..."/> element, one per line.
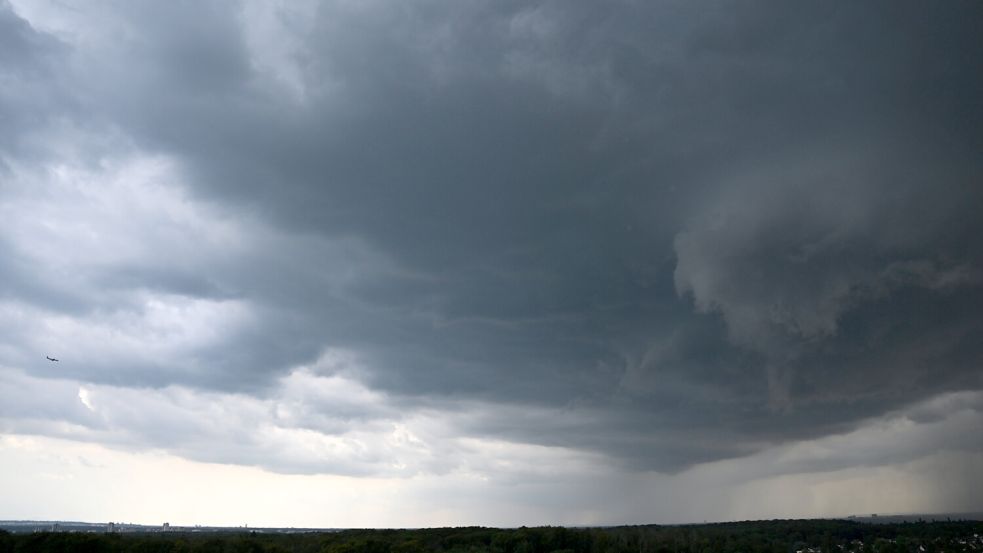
<point x="709" y="228"/>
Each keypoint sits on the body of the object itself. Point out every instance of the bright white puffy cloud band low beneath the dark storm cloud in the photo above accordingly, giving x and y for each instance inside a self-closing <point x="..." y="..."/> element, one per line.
<point x="307" y="424"/>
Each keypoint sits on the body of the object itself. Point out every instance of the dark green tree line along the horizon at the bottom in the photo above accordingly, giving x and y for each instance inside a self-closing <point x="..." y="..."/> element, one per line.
<point x="778" y="536"/>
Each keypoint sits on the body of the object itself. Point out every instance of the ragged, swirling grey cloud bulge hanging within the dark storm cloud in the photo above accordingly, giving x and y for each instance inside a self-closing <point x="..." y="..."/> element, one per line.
<point x="791" y="250"/>
